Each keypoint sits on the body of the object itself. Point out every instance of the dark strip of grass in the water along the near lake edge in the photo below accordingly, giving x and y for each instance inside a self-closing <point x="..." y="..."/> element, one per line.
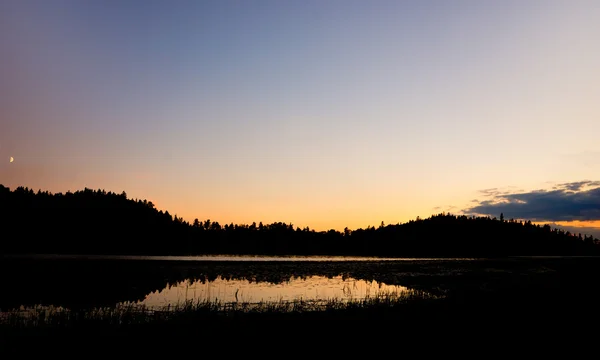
<point x="132" y="314"/>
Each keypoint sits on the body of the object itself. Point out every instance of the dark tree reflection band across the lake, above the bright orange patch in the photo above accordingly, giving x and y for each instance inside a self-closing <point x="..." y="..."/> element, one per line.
<point x="77" y="283"/>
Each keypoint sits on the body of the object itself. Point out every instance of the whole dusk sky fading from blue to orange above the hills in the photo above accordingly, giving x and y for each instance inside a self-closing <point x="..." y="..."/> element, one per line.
<point x="327" y="114"/>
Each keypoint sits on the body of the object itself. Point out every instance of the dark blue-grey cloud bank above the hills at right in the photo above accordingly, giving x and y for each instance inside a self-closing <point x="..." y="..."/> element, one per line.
<point x="566" y="202"/>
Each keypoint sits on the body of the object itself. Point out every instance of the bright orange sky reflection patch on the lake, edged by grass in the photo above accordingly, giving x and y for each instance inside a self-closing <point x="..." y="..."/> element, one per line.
<point x="310" y="288"/>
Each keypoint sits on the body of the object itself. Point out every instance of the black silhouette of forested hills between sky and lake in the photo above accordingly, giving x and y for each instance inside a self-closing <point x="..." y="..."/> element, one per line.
<point x="100" y="222"/>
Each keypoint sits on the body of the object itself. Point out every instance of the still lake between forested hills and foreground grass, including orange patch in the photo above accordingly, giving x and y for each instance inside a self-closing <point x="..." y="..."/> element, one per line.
<point x="88" y="281"/>
